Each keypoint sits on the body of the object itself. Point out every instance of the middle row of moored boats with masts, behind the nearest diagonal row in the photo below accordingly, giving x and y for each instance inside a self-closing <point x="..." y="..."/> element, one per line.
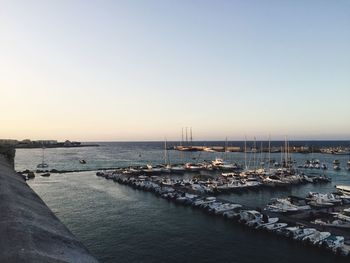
<point x="220" y="181"/>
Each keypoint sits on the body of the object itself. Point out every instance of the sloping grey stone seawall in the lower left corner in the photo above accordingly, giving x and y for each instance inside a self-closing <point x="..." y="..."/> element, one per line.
<point x="29" y="230"/>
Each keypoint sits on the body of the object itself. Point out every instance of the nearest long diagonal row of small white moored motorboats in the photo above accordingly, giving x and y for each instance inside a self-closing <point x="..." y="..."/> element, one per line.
<point x="236" y="212"/>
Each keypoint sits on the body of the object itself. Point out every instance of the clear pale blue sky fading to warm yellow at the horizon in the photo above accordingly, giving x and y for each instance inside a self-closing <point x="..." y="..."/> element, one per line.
<point x="142" y="70"/>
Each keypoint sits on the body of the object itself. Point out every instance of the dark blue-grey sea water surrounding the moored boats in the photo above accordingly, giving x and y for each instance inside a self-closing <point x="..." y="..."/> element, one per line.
<point x="120" y="224"/>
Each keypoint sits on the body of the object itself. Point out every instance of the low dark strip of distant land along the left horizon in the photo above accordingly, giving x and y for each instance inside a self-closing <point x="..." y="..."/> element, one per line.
<point x="44" y="143"/>
